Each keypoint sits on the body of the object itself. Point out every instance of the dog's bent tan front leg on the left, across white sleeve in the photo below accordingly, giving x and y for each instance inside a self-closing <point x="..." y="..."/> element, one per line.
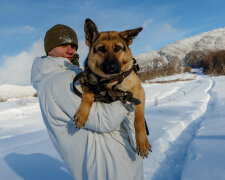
<point x="83" y="112"/>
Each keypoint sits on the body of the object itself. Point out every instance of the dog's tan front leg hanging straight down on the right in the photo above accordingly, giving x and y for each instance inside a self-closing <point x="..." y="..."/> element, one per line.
<point x="143" y="145"/>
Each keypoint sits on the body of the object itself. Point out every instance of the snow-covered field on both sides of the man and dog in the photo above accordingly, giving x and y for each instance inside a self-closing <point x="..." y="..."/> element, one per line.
<point x="186" y="119"/>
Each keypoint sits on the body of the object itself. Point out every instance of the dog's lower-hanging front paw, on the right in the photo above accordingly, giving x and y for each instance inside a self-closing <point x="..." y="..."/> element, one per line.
<point x="143" y="146"/>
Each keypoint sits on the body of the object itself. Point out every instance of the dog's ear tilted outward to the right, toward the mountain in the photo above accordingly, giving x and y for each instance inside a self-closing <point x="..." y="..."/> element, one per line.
<point x="129" y="35"/>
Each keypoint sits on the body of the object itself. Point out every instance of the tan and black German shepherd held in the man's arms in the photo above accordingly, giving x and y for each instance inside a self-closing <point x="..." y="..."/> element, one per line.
<point x="110" y="55"/>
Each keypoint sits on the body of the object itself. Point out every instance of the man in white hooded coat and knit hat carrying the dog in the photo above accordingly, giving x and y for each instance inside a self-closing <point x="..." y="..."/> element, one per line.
<point x="105" y="147"/>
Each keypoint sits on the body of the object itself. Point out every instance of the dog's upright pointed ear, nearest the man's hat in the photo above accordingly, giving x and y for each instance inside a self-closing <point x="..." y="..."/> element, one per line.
<point x="91" y="32"/>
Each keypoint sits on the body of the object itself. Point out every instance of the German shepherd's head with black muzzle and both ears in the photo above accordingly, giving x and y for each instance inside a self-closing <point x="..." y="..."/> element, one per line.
<point x="109" y="51"/>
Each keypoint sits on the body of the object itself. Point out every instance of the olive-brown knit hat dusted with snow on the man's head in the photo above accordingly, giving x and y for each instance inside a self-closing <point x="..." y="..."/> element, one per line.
<point x="58" y="35"/>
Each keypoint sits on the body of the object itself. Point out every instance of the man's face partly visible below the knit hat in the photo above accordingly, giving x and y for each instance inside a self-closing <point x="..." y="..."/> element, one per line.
<point x="65" y="50"/>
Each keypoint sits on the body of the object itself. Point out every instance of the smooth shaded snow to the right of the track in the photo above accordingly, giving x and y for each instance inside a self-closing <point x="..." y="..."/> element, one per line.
<point x="207" y="148"/>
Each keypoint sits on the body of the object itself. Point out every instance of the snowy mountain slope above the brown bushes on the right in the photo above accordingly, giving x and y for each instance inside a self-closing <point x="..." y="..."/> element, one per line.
<point x="208" y="41"/>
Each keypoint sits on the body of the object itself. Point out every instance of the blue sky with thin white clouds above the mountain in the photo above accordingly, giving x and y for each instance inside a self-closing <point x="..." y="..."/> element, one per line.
<point x="24" y="22"/>
